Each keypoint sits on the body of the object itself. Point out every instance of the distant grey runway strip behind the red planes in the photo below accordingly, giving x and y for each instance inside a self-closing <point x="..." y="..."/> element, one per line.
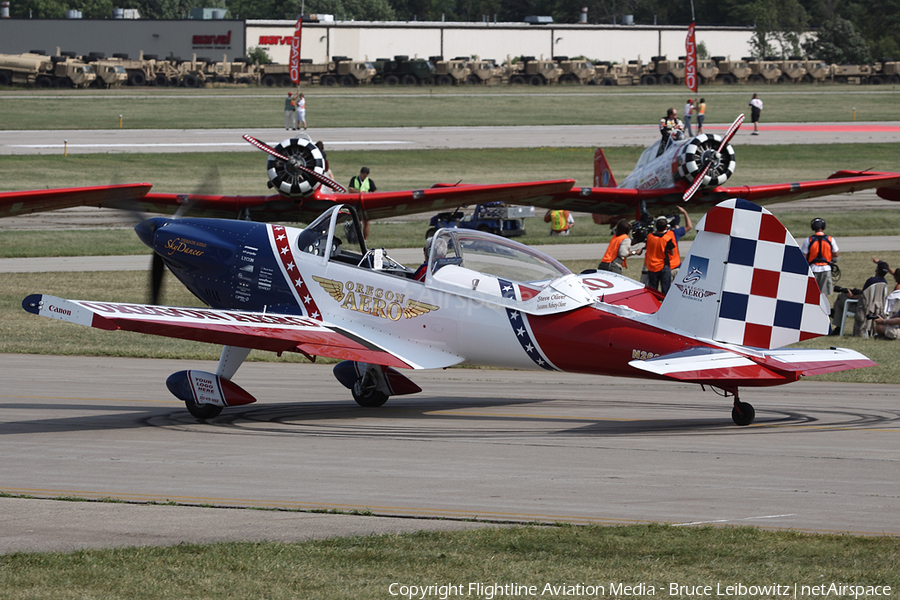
<point x="423" y="138"/>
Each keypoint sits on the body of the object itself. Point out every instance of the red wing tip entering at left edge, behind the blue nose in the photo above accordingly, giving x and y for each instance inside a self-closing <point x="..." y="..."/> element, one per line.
<point x="118" y="196"/>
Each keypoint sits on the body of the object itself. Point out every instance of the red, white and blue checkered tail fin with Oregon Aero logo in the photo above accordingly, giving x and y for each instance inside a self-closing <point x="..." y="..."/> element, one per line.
<point x="745" y="282"/>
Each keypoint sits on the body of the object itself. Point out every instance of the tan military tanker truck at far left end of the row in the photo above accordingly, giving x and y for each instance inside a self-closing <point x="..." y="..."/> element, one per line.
<point x="44" y="71"/>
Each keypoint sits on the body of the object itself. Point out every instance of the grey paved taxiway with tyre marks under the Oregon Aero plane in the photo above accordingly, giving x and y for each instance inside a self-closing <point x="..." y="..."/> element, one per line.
<point x="475" y="444"/>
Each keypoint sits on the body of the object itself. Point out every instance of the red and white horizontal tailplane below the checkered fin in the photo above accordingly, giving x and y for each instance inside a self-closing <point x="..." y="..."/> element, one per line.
<point x="707" y="365"/>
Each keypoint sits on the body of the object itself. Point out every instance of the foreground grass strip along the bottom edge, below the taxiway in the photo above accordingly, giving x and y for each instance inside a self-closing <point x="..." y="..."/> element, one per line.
<point x="365" y="567"/>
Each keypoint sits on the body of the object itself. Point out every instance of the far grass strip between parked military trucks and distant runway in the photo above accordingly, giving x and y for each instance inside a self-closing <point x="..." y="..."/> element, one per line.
<point x="433" y="107"/>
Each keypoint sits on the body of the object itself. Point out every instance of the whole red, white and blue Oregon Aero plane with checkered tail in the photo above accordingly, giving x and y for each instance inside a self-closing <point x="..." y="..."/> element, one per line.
<point x="743" y="293"/>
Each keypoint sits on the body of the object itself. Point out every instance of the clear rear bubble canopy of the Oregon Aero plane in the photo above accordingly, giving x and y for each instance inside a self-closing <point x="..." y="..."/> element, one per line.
<point x="491" y="255"/>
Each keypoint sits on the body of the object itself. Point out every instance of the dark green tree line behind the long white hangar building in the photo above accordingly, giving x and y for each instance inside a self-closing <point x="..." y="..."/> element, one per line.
<point x="845" y="31"/>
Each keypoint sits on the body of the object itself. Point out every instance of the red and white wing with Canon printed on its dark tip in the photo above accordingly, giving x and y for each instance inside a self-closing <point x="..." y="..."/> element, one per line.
<point x="271" y="332"/>
